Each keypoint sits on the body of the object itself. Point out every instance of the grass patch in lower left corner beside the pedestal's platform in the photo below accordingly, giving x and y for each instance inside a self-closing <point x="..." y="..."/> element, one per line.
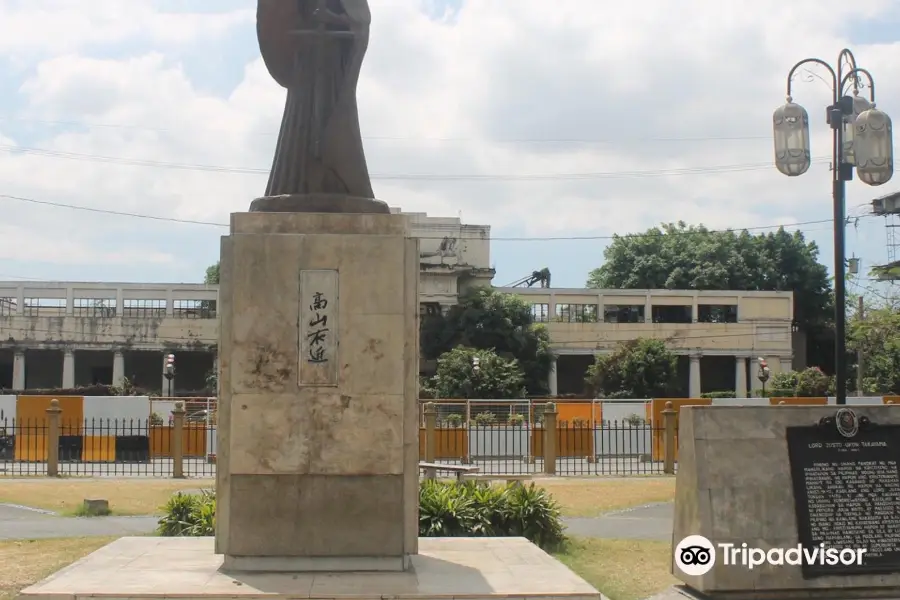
<point x="24" y="562"/>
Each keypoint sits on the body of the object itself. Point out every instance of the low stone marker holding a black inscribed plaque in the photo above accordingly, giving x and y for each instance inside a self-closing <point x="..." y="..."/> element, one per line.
<point x="775" y="478"/>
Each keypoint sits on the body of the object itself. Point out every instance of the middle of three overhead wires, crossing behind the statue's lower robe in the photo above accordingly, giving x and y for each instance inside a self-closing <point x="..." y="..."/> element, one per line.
<point x="623" y="174"/>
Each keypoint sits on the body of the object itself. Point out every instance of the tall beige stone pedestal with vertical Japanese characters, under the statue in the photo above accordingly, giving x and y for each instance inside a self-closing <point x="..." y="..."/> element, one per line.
<point x="318" y="436"/>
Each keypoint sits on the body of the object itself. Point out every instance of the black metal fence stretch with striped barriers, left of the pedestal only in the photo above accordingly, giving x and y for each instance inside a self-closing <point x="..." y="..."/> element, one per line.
<point x="106" y="448"/>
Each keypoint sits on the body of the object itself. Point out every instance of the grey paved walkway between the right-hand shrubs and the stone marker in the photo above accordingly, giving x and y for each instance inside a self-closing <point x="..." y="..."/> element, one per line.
<point x="650" y="522"/>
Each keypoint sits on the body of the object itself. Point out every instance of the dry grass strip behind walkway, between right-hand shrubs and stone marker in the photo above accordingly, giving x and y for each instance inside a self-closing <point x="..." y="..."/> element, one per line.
<point x="590" y="497"/>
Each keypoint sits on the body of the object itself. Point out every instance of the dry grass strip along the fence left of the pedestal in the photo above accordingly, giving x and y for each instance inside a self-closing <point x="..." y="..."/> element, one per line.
<point x="134" y="496"/>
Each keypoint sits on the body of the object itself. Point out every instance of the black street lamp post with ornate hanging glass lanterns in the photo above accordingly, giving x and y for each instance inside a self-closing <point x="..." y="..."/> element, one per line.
<point x="862" y="138"/>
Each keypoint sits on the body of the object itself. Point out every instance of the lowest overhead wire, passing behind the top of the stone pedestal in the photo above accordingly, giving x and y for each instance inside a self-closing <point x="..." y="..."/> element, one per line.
<point x="493" y="239"/>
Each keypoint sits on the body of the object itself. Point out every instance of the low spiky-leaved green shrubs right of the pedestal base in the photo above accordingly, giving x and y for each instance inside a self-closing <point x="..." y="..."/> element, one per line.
<point x="450" y="509"/>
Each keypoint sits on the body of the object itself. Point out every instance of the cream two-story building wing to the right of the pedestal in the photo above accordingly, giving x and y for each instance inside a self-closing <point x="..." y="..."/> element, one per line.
<point x="718" y="336"/>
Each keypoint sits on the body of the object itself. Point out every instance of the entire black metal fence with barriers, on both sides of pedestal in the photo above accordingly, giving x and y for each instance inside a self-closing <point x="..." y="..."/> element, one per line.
<point x="500" y="438"/>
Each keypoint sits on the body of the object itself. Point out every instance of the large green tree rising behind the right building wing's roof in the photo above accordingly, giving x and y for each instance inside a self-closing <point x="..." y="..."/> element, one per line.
<point x="681" y="257"/>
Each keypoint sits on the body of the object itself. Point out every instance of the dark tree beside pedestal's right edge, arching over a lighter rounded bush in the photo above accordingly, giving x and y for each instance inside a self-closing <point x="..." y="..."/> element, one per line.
<point x="489" y="320"/>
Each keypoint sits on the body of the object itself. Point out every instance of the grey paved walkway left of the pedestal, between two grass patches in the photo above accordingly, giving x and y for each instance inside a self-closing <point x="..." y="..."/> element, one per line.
<point x="17" y="522"/>
